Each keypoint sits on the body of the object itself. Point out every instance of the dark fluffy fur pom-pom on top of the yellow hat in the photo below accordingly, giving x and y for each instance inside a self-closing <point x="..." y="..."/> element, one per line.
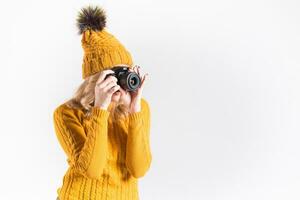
<point x="91" y="17"/>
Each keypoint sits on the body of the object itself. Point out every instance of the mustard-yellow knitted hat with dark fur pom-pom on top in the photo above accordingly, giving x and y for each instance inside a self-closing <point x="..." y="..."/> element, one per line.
<point x="102" y="50"/>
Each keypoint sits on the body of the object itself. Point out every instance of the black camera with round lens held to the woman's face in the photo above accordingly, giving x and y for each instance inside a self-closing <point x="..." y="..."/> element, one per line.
<point x="128" y="80"/>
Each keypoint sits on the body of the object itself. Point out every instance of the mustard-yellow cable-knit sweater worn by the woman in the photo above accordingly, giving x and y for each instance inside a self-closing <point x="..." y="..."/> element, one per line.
<point x="105" y="159"/>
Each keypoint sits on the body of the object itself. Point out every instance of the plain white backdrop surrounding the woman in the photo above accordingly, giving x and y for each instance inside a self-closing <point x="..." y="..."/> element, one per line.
<point x="223" y="87"/>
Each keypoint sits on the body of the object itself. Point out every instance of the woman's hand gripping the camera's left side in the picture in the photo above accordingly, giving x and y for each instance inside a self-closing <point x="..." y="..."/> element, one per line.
<point x="105" y="88"/>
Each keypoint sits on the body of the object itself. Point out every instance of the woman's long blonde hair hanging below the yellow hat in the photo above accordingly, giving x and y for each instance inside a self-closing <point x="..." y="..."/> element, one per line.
<point x="84" y="98"/>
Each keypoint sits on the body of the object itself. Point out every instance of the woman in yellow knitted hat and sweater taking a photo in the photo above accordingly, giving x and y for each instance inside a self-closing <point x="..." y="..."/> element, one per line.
<point x="104" y="130"/>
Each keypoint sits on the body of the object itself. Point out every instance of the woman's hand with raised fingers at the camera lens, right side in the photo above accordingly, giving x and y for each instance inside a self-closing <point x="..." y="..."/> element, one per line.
<point x="135" y="104"/>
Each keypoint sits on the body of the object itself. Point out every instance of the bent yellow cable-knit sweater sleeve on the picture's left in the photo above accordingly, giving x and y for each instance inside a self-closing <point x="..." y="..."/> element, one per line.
<point x="86" y="148"/>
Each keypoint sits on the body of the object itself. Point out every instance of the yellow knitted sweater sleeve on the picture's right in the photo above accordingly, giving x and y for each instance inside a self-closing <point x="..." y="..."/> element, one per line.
<point x="138" y="151"/>
